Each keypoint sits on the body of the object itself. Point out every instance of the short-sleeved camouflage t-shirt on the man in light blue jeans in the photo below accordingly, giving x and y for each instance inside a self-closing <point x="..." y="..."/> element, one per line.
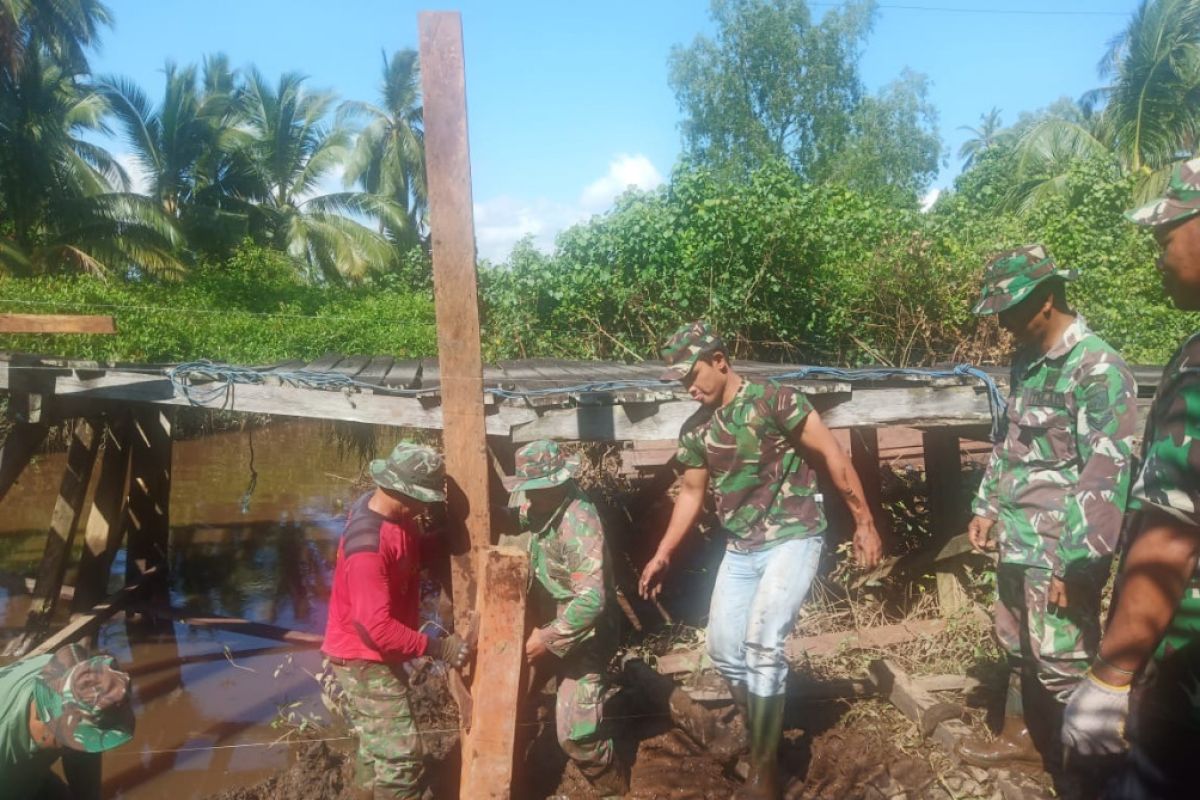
<point x="766" y="494"/>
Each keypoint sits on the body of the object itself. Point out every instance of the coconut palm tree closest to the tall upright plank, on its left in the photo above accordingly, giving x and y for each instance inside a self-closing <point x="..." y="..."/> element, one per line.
<point x="388" y="160"/>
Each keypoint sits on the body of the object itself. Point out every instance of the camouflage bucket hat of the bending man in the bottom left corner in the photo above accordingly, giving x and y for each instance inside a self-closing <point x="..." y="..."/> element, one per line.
<point x="85" y="700"/>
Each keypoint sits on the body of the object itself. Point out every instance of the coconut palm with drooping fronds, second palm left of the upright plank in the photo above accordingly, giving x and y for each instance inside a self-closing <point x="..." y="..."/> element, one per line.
<point x="291" y="151"/>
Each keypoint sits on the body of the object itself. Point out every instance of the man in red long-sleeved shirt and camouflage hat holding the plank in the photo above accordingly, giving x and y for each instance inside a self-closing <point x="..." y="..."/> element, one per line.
<point x="374" y="619"/>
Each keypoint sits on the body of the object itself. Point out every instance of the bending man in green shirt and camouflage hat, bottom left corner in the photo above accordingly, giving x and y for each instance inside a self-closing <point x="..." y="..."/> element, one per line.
<point x="70" y="705"/>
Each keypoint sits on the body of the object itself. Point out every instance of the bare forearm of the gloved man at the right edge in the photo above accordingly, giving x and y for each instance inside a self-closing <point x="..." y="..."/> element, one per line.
<point x="1153" y="579"/>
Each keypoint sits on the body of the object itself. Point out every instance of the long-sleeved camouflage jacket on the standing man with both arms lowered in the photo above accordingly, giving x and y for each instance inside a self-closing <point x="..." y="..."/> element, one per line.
<point x="1059" y="479"/>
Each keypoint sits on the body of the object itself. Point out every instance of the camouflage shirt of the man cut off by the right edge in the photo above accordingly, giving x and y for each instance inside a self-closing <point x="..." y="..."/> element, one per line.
<point x="1171" y="472"/>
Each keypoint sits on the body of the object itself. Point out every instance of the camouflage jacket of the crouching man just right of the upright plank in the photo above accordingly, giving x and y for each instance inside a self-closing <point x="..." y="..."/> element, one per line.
<point x="569" y="564"/>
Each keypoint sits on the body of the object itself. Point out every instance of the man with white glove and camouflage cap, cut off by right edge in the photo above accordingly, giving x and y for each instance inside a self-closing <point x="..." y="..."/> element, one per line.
<point x="1153" y="639"/>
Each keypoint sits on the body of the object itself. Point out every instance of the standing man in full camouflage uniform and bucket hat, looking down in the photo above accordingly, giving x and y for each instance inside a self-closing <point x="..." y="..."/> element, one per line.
<point x="1053" y="498"/>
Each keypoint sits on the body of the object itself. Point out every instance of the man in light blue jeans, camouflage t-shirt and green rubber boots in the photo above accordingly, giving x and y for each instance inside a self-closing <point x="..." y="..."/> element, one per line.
<point x="760" y="443"/>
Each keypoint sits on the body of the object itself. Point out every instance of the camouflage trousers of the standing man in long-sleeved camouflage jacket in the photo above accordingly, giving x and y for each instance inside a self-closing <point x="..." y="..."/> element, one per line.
<point x="1053" y="645"/>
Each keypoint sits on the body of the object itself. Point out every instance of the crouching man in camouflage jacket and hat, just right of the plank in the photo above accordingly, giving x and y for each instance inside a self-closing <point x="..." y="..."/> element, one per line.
<point x="572" y="588"/>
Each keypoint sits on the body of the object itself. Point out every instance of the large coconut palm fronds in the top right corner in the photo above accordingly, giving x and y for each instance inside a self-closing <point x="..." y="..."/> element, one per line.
<point x="1149" y="113"/>
